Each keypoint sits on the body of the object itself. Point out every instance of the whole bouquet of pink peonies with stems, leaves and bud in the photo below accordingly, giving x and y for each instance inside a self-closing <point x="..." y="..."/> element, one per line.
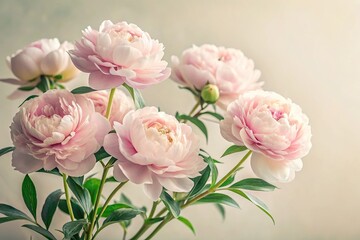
<point x="66" y="133"/>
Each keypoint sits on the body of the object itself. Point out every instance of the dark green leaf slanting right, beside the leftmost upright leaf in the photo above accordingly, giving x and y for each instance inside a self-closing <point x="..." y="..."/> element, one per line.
<point x="49" y="207"/>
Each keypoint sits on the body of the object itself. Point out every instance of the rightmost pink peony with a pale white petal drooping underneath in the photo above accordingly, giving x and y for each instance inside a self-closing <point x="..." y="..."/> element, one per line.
<point x="274" y="128"/>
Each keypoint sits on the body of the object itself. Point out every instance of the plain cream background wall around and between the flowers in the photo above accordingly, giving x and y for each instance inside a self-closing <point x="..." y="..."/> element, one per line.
<point x="307" y="50"/>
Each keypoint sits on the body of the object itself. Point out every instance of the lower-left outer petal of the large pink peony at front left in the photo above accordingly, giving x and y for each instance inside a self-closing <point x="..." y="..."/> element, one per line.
<point x="25" y="163"/>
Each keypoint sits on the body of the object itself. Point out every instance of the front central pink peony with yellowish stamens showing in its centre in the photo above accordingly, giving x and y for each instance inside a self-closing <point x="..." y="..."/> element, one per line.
<point x="154" y="149"/>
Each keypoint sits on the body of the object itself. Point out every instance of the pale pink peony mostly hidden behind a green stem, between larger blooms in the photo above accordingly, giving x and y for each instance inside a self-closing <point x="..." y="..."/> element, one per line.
<point x="121" y="104"/>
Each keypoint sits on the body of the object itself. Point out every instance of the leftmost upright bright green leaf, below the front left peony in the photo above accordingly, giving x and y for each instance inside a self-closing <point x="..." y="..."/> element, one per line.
<point x="29" y="195"/>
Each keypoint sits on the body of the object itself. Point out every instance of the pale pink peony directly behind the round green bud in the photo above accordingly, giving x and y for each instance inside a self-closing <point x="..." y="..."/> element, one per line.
<point x="227" y="68"/>
